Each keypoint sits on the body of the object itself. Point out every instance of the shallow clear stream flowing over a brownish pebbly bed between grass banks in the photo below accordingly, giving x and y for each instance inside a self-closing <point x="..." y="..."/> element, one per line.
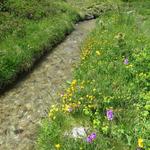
<point x="27" y="102"/>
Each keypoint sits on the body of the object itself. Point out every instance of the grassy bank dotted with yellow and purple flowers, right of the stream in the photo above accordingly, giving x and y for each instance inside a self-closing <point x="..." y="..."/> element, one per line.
<point x="109" y="96"/>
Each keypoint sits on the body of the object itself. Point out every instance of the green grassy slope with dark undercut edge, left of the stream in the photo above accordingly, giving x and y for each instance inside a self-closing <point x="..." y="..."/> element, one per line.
<point x="27" y="29"/>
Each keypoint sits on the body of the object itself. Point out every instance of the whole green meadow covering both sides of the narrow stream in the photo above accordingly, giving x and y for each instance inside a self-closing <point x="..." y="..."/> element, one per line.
<point x="108" y="100"/>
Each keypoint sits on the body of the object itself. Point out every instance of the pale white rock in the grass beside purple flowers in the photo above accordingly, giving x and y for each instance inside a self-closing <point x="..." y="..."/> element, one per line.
<point x="78" y="132"/>
